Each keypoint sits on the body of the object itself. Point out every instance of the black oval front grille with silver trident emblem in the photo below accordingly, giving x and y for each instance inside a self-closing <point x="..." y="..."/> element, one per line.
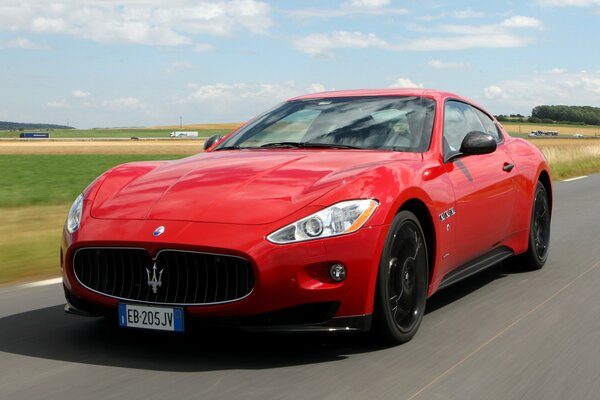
<point x="187" y="277"/>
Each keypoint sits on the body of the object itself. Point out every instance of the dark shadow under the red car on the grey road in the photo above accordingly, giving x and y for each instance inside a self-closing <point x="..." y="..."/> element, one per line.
<point x="51" y="334"/>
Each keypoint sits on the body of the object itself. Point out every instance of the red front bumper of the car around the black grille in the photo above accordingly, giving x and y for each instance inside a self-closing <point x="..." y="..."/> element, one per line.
<point x="292" y="292"/>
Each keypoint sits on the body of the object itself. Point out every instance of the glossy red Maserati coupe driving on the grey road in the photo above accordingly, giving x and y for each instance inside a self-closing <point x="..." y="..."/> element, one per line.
<point x="339" y="211"/>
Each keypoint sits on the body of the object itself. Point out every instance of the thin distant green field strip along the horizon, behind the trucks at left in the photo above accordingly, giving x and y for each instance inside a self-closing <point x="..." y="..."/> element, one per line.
<point x="116" y="133"/>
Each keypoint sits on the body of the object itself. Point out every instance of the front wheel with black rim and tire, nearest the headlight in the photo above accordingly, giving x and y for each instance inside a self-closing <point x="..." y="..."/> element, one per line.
<point x="402" y="281"/>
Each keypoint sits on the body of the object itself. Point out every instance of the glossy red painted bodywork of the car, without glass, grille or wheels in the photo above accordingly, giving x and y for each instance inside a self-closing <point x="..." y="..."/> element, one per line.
<point x="227" y="202"/>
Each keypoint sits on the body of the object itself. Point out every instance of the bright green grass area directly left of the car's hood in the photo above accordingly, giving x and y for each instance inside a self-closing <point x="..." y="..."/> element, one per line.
<point x="28" y="180"/>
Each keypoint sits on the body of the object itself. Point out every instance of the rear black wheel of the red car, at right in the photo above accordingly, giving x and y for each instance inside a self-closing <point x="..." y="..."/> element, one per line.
<point x="539" y="234"/>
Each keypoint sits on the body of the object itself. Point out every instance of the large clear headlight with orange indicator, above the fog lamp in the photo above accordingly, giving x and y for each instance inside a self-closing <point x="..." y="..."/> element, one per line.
<point x="338" y="219"/>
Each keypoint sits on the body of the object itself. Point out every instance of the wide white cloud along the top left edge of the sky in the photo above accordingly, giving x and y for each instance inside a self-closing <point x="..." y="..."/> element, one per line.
<point x="133" y="21"/>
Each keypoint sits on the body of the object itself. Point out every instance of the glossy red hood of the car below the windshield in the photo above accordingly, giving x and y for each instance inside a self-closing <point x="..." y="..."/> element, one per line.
<point x="242" y="187"/>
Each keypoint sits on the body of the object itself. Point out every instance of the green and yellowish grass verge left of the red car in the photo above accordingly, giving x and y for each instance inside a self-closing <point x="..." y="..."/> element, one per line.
<point x="37" y="191"/>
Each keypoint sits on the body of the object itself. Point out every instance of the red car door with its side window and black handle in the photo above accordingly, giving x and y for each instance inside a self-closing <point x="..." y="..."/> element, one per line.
<point x="483" y="185"/>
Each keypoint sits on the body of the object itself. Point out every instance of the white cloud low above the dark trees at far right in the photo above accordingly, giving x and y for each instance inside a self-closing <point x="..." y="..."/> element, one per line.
<point x="571" y="88"/>
